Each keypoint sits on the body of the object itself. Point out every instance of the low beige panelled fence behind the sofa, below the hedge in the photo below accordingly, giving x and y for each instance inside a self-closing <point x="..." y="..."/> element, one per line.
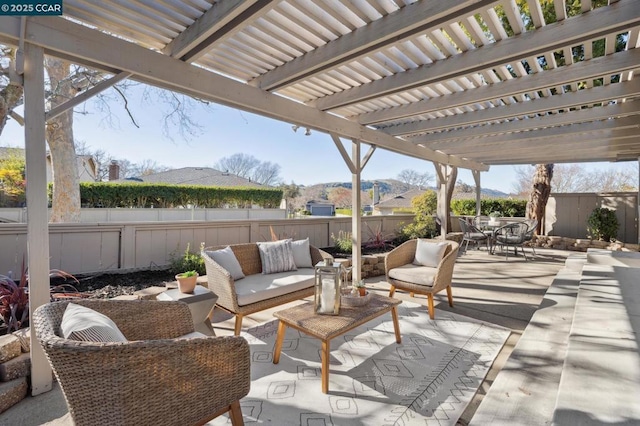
<point x="86" y="248"/>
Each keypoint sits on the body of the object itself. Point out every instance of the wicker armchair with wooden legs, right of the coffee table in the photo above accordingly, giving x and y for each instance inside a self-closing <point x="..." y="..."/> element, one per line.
<point x="404" y="255"/>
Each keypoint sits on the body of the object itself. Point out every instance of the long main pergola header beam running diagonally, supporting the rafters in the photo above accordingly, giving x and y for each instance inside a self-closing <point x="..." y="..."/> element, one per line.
<point x="60" y="37"/>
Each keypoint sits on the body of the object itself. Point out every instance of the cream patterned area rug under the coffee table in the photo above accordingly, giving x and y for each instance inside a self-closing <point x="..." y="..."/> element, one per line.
<point x="428" y="379"/>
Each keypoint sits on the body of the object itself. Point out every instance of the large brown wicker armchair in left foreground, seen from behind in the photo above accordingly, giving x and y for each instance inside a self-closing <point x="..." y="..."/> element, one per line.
<point x="154" y="378"/>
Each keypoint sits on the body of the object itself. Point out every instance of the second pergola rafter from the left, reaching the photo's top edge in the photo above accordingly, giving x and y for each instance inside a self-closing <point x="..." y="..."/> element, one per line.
<point x="413" y="19"/>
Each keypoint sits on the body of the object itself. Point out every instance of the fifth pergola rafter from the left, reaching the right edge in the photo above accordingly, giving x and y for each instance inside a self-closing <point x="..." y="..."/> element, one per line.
<point x="627" y="89"/>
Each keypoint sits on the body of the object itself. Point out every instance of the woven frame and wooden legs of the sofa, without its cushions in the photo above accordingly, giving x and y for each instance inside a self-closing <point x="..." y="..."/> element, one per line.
<point x="222" y="284"/>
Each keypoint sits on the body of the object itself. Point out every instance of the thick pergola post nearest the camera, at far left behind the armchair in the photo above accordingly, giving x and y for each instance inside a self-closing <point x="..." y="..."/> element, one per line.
<point x="37" y="212"/>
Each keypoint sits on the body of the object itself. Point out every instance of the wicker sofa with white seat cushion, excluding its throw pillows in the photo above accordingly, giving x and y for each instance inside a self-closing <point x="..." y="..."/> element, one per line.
<point x="256" y="291"/>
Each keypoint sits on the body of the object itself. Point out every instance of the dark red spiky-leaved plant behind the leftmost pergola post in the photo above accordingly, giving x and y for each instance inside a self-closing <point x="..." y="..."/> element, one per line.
<point x="14" y="297"/>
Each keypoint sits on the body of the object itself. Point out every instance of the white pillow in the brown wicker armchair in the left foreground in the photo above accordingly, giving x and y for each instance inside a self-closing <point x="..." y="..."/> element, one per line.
<point x="82" y="323"/>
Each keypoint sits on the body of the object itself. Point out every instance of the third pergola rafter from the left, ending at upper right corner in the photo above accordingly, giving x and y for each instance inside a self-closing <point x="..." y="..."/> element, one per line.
<point x="585" y="27"/>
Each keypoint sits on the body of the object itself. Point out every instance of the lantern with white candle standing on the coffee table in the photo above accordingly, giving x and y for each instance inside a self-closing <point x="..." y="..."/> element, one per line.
<point x="328" y="279"/>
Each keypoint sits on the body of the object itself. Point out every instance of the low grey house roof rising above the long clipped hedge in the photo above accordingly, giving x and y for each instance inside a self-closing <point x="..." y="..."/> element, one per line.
<point x="195" y="176"/>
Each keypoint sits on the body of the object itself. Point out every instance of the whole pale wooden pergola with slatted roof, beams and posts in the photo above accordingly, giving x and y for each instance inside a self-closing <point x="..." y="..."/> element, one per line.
<point x="460" y="83"/>
